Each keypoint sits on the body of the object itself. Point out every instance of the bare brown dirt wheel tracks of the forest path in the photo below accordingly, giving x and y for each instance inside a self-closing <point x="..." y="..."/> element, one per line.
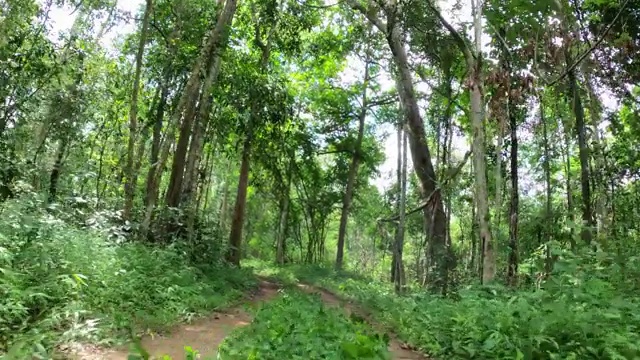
<point x="206" y="334"/>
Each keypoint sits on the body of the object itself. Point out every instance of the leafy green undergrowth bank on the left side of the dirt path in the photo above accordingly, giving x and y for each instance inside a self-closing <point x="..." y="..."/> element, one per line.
<point x="59" y="283"/>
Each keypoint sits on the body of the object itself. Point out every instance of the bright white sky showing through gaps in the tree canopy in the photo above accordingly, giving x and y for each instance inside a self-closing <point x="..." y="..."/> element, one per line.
<point x="61" y="19"/>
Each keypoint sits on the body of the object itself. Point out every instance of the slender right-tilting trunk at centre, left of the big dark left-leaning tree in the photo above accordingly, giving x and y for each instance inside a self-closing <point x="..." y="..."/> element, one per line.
<point x="353" y="170"/>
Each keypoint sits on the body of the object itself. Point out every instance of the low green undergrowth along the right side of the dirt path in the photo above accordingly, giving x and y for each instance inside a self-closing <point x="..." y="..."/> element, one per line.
<point x="585" y="310"/>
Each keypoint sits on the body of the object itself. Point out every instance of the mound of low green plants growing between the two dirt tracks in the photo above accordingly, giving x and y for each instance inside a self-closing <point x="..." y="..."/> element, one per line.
<point x="299" y="326"/>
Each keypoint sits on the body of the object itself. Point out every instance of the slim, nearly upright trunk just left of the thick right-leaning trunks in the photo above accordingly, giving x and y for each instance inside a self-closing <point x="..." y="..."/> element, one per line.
<point x="130" y="186"/>
